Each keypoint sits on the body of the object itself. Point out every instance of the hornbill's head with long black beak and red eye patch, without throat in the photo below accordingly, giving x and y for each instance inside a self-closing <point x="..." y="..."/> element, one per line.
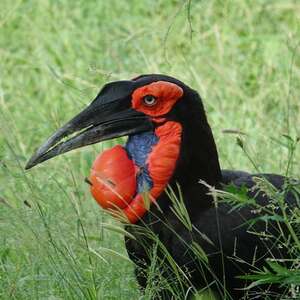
<point x="121" y="108"/>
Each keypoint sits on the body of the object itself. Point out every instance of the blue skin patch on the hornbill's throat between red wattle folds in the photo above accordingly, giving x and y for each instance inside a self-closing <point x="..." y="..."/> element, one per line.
<point x="138" y="147"/>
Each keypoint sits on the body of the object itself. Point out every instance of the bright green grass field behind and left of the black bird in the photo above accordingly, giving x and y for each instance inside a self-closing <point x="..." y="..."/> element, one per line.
<point x="242" y="56"/>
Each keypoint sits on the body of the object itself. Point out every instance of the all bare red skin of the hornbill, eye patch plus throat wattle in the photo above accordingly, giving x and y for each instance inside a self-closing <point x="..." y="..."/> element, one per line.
<point x="113" y="175"/>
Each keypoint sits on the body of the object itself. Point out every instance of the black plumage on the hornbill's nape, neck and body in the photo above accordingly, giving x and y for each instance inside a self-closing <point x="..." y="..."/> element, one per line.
<point x="235" y="249"/>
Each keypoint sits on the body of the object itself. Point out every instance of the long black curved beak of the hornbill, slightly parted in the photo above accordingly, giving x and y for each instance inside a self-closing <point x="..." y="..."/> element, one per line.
<point x="109" y="116"/>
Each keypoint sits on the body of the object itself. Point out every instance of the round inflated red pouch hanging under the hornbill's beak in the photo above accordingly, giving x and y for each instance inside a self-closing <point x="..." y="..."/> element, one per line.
<point x="113" y="178"/>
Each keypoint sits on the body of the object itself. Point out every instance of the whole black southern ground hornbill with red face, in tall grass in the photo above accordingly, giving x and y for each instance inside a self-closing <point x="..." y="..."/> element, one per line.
<point x="170" y="143"/>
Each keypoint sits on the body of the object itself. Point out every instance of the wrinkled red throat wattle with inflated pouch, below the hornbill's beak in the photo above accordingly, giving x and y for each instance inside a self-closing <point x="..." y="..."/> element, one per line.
<point x="113" y="175"/>
